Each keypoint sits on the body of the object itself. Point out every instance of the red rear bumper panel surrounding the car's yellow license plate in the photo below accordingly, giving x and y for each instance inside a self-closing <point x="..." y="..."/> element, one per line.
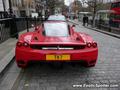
<point x="40" y="55"/>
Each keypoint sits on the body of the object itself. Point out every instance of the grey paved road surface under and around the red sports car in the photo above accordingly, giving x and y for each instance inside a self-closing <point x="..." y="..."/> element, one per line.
<point x="39" y="76"/>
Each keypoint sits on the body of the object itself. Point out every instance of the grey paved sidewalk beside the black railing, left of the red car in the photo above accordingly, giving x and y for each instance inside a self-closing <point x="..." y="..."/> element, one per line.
<point x="7" y="51"/>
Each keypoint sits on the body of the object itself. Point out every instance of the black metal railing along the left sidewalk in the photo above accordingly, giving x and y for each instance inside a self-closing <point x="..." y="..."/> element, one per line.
<point x="10" y="27"/>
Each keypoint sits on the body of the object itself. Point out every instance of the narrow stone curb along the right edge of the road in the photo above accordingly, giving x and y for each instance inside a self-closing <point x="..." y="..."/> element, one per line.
<point x="98" y="30"/>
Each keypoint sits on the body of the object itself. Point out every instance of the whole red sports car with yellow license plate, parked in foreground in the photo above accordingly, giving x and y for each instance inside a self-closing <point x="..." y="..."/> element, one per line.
<point x="56" y="41"/>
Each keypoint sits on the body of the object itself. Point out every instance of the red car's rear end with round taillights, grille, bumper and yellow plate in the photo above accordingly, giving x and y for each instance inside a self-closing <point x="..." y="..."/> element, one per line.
<point x="26" y="53"/>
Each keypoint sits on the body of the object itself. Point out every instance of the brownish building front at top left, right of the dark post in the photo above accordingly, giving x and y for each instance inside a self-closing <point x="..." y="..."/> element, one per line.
<point x="23" y="7"/>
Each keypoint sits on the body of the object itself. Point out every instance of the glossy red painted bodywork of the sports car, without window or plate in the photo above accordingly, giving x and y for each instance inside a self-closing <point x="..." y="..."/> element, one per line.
<point x="25" y="54"/>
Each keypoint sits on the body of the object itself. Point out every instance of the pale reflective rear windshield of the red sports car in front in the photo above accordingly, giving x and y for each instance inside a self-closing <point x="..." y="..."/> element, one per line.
<point x="58" y="29"/>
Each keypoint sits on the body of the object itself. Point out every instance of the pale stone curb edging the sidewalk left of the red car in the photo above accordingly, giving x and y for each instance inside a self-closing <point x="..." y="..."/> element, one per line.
<point x="6" y="61"/>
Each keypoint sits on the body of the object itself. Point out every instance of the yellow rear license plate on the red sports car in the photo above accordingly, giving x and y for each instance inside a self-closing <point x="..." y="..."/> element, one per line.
<point x="57" y="57"/>
